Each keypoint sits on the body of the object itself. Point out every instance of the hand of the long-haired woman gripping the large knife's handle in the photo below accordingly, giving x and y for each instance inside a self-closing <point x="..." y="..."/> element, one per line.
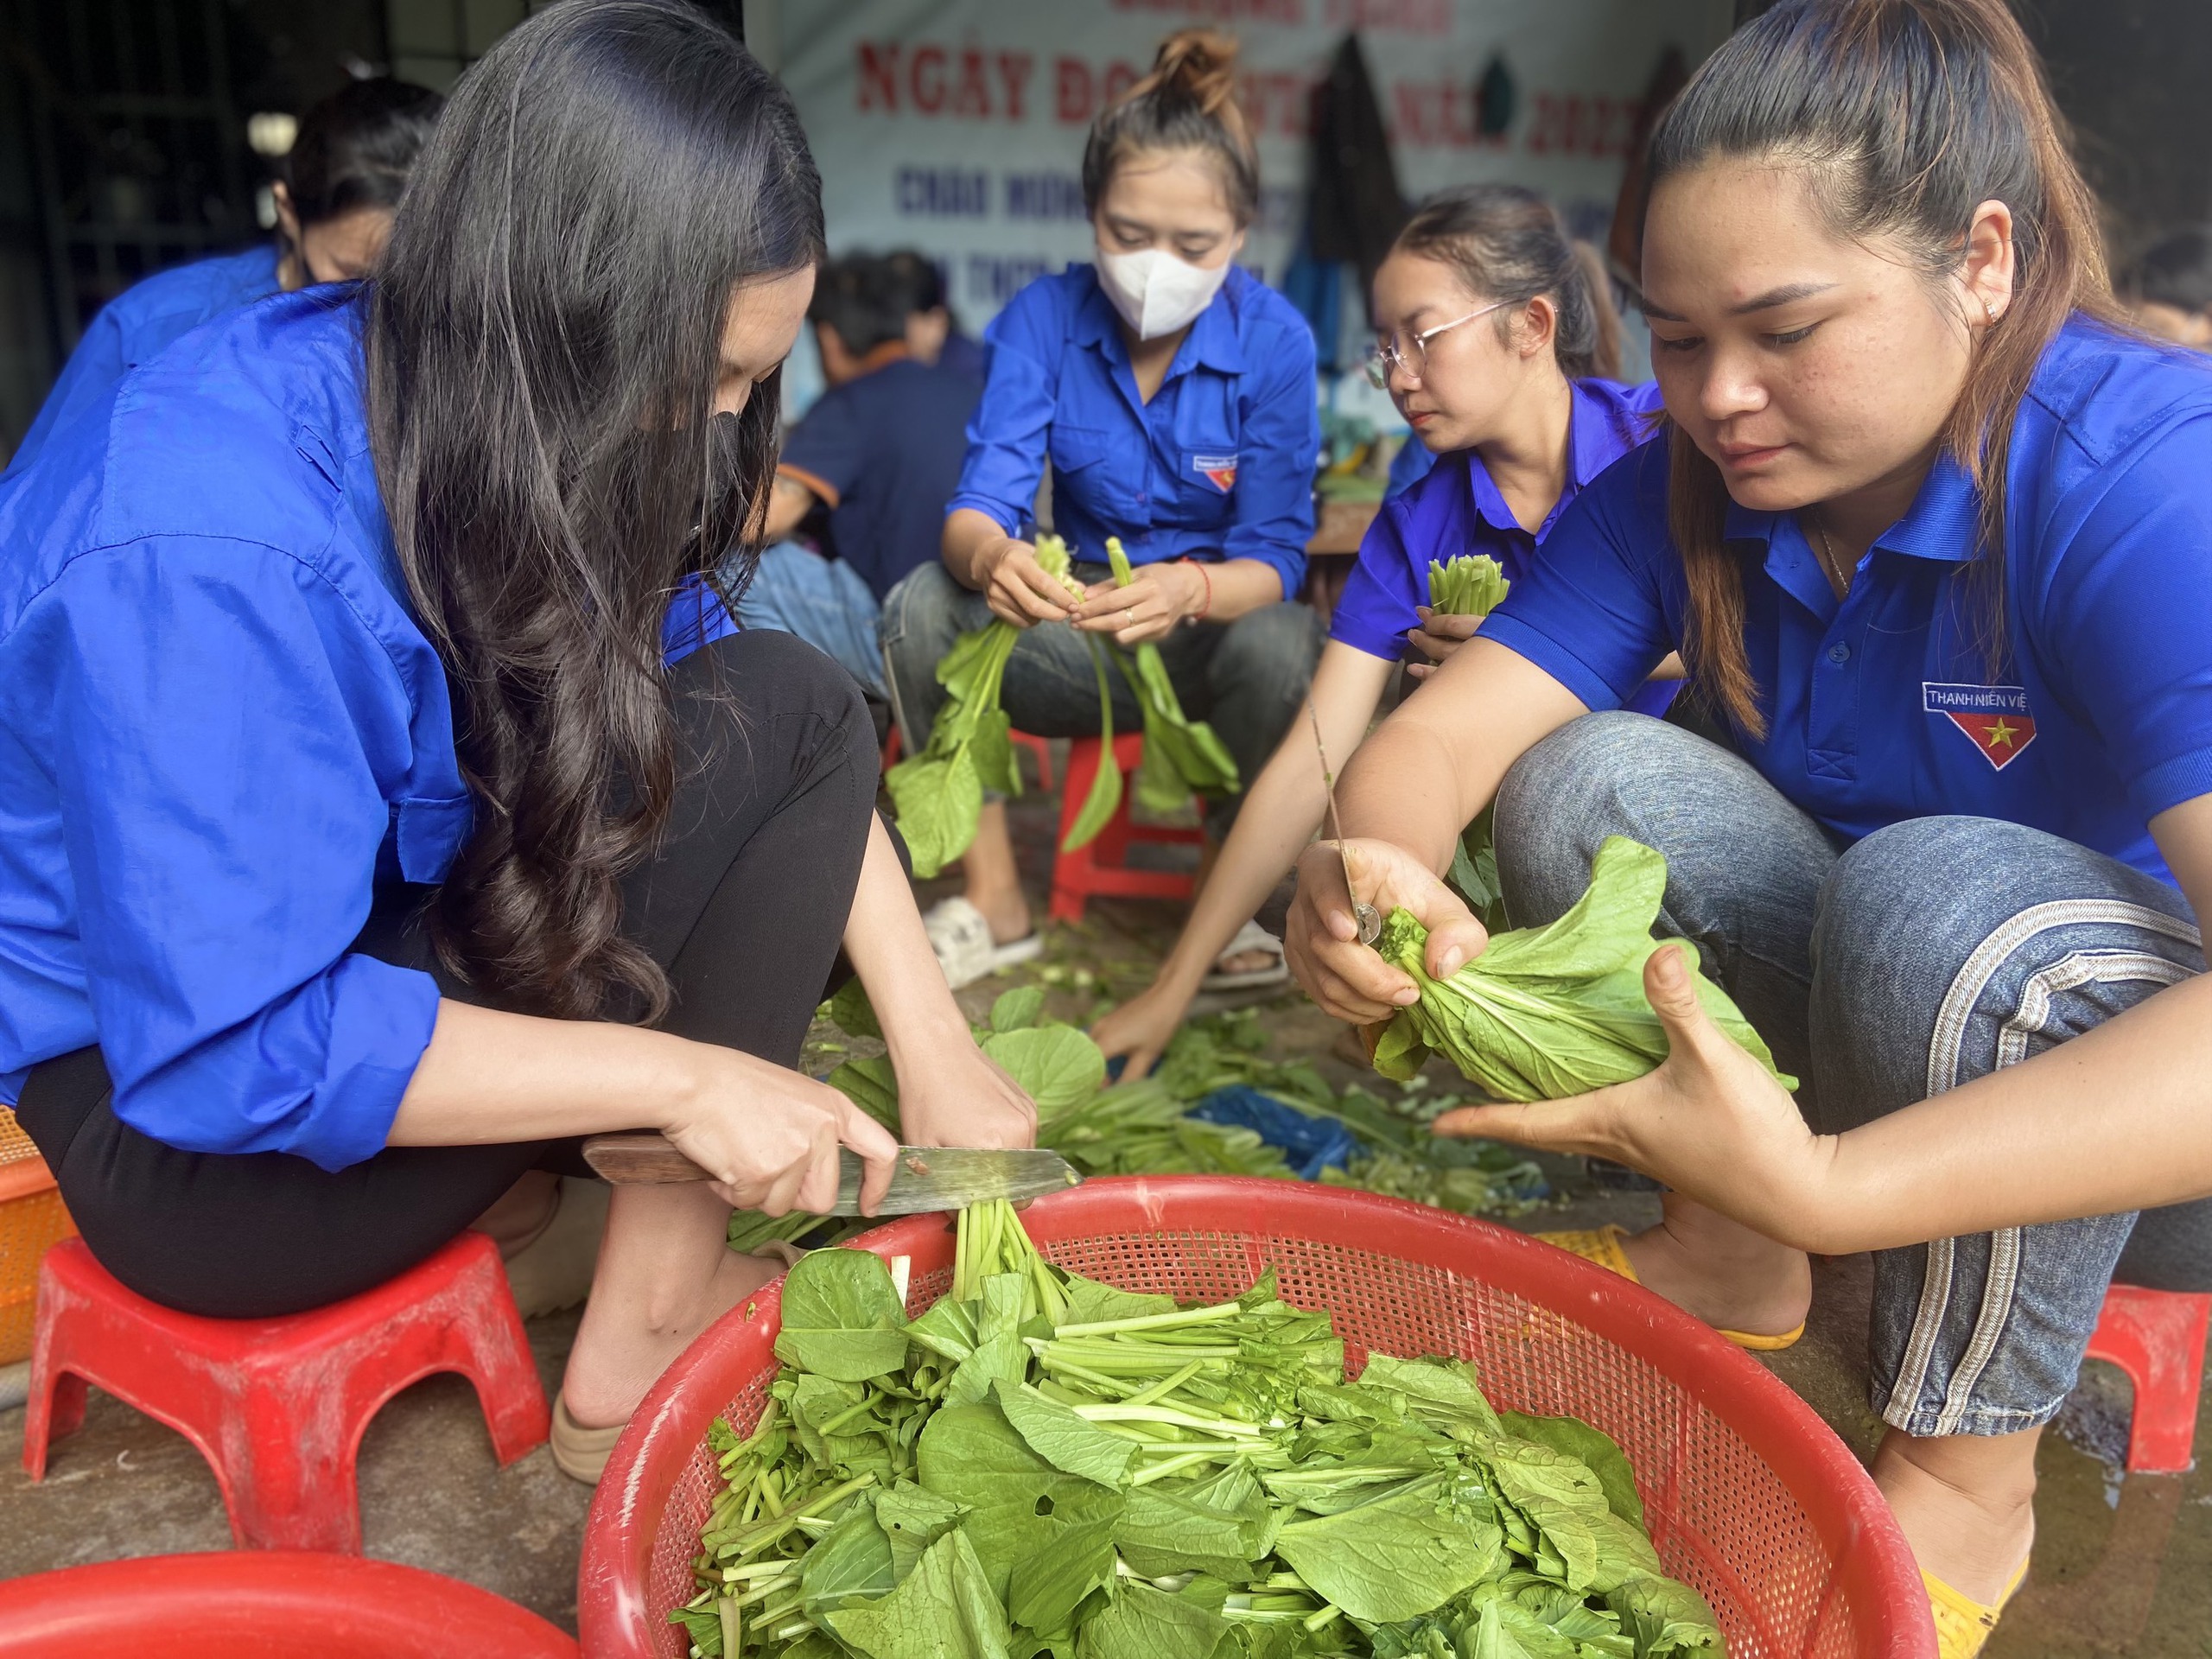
<point x="769" y="1138"/>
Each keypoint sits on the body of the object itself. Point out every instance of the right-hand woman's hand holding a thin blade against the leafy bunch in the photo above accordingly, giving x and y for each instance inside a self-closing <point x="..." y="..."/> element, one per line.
<point x="1324" y="946"/>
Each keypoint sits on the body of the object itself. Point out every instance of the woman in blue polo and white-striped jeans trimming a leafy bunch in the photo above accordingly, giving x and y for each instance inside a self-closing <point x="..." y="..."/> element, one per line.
<point x="1932" y="532"/>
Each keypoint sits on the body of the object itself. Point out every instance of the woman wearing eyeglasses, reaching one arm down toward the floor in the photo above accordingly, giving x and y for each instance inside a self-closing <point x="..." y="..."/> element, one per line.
<point x="1496" y="333"/>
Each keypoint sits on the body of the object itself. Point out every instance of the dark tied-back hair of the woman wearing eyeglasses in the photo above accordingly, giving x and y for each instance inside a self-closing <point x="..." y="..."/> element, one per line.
<point x="1510" y="244"/>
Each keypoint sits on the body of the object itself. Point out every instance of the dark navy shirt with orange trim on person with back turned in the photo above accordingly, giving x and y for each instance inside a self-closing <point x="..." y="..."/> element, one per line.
<point x="884" y="452"/>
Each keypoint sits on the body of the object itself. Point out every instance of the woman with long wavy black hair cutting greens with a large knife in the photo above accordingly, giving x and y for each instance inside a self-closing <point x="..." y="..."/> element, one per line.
<point x="406" y="808"/>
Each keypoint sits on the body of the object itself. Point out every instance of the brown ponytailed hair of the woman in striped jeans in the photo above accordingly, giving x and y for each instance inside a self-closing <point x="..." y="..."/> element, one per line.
<point x="1903" y="116"/>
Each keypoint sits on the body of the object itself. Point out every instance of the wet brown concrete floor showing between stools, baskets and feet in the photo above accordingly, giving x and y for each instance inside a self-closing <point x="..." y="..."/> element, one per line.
<point x="2122" y="1565"/>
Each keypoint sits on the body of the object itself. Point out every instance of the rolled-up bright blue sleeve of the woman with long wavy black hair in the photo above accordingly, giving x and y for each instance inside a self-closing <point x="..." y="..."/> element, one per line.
<point x="225" y="773"/>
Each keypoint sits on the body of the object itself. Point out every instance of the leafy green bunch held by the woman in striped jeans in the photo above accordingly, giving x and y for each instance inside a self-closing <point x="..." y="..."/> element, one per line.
<point x="1552" y="1012"/>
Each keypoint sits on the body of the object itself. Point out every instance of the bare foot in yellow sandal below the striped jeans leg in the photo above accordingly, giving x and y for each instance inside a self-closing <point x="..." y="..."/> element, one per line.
<point x="1968" y="1505"/>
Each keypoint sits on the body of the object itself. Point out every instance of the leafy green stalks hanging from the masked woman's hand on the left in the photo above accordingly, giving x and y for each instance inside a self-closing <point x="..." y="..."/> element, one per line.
<point x="939" y="793"/>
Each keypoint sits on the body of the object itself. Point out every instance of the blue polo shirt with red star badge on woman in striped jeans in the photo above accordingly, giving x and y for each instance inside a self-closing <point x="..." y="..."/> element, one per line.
<point x="1881" y="707"/>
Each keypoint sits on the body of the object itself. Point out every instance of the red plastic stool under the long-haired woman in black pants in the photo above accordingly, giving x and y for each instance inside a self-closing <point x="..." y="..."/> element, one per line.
<point x="278" y="1406"/>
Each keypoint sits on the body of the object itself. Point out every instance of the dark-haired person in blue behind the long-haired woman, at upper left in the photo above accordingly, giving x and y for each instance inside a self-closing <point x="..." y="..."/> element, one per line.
<point x="344" y="178"/>
